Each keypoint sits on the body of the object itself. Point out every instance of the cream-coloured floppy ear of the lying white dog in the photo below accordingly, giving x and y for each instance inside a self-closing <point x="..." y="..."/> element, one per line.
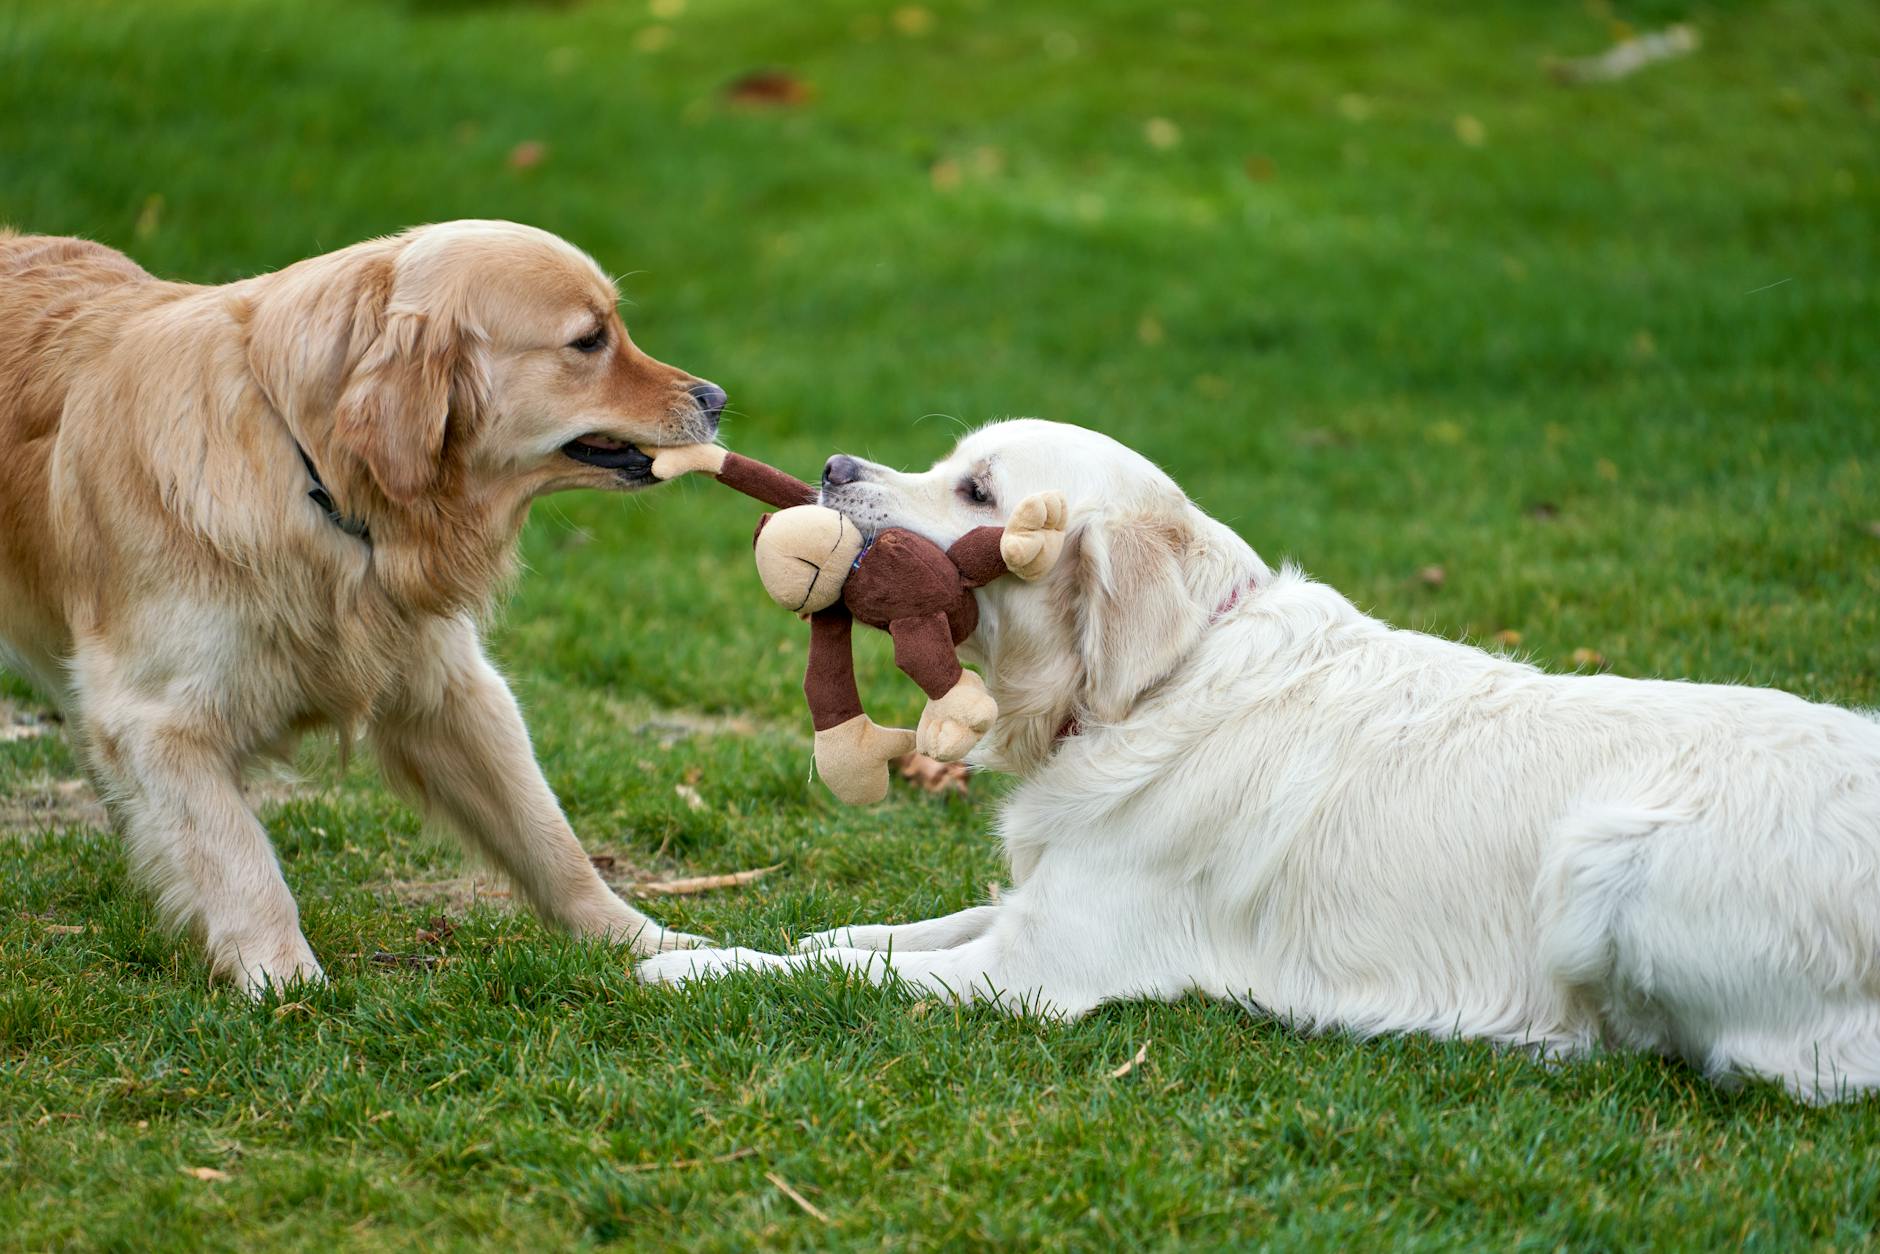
<point x="1136" y="618"/>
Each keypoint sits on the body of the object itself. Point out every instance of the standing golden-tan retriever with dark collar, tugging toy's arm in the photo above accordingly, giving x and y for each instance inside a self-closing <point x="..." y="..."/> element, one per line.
<point x="230" y="516"/>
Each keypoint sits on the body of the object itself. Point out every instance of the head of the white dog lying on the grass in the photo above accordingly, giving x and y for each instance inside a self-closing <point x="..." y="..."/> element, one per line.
<point x="1140" y="576"/>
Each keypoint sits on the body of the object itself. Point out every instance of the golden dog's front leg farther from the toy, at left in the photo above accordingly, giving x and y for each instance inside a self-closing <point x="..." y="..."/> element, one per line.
<point x="176" y="794"/>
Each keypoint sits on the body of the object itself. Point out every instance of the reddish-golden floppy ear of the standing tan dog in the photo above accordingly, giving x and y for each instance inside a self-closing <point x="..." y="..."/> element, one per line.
<point x="416" y="375"/>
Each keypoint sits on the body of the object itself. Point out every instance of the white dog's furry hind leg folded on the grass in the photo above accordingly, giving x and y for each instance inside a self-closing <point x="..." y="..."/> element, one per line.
<point x="1670" y="935"/>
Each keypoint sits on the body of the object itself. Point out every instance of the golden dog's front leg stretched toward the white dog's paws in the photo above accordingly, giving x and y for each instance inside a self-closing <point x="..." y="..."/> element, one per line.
<point x="458" y="745"/>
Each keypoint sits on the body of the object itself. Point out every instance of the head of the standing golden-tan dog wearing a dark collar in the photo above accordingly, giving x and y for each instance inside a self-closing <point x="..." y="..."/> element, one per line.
<point x="473" y="358"/>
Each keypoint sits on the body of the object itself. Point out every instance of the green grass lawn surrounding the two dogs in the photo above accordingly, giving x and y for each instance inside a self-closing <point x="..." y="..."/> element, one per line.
<point x="1614" y="369"/>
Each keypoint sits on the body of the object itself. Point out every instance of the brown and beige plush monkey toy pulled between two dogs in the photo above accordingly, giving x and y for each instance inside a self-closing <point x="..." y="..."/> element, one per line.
<point x="817" y="563"/>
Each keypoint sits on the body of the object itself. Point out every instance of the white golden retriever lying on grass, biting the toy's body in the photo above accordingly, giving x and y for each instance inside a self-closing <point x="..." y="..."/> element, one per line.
<point x="1236" y="783"/>
